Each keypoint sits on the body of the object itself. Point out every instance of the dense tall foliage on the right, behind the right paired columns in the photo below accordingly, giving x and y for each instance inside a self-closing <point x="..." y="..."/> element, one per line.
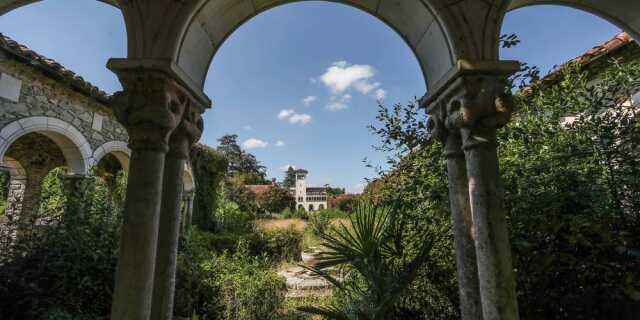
<point x="570" y="165"/>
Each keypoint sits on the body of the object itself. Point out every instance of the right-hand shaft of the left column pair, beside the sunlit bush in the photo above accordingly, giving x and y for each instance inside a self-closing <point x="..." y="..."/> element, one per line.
<point x="182" y="139"/>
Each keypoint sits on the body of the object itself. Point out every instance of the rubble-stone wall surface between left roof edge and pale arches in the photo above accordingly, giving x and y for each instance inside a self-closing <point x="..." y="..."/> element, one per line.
<point x="42" y="96"/>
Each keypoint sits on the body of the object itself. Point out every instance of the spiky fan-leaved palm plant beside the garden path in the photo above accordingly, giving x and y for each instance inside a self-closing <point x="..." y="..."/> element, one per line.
<point x="371" y="279"/>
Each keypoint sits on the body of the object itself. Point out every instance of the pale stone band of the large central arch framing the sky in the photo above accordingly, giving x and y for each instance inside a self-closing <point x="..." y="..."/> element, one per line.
<point x="416" y="21"/>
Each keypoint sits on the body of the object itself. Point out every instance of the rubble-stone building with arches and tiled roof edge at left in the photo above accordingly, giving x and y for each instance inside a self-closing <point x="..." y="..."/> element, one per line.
<point x="50" y="118"/>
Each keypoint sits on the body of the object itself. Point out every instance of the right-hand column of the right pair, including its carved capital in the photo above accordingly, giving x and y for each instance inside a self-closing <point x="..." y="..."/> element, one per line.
<point x="474" y="102"/>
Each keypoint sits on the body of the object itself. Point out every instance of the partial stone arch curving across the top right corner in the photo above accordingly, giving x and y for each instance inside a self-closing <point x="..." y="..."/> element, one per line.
<point x="622" y="13"/>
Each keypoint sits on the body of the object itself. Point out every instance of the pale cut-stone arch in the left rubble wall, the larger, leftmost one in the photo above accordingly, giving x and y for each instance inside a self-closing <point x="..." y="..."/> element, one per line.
<point x="74" y="146"/>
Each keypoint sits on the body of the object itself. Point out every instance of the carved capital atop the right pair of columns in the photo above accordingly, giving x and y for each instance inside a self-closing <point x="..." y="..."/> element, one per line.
<point x="473" y="104"/>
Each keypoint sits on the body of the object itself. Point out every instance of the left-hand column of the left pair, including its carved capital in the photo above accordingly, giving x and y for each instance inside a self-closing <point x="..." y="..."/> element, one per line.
<point x="150" y="107"/>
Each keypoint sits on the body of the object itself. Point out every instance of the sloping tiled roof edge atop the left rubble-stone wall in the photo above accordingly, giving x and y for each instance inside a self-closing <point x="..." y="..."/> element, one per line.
<point x="52" y="68"/>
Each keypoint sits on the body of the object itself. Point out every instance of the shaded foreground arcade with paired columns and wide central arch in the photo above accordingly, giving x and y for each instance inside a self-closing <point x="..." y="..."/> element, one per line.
<point x="170" y="46"/>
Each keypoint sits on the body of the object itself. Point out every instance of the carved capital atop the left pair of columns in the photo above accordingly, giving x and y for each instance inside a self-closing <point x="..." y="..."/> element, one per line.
<point x="151" y="106"/>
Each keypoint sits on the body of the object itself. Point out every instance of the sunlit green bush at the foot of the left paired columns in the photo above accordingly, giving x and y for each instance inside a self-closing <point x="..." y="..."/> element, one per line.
<point x="225" y="286"/>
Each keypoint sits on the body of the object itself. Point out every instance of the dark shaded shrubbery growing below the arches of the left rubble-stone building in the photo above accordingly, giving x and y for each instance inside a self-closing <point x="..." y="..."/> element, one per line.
<point x="65" y="270"/>
